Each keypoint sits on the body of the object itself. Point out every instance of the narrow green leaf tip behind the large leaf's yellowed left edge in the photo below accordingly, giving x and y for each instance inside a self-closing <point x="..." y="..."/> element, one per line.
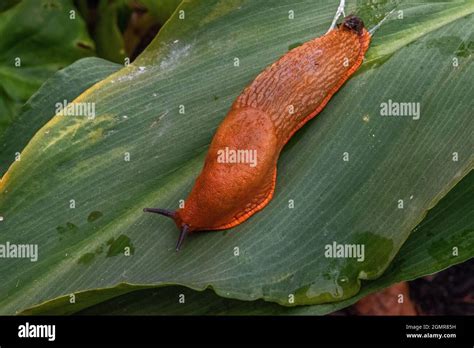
<point x="65" y="84"/>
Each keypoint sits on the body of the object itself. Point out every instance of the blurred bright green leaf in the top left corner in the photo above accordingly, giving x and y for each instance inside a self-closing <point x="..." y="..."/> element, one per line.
<point x="32" y="48"/>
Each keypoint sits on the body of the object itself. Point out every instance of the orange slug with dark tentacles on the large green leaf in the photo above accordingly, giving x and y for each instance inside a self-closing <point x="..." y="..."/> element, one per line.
<point x="262" y="119"/>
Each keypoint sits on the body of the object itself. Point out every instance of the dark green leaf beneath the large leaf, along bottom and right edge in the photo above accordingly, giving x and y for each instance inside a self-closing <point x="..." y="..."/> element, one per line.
<point x="429" y="249"/>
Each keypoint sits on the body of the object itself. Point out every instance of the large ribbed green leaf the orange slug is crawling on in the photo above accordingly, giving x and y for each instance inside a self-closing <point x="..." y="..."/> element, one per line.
<point x="190" y="63"/>
